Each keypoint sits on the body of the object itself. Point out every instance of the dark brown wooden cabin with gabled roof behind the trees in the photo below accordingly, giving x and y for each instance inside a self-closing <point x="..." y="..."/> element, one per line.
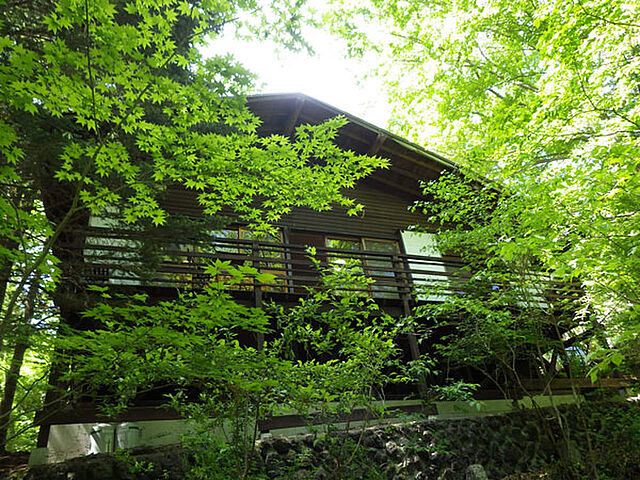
<point x="379" y="240"/>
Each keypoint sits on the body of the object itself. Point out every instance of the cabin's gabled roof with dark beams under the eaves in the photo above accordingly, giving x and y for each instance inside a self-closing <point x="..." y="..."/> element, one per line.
<point x="409" y="163"/>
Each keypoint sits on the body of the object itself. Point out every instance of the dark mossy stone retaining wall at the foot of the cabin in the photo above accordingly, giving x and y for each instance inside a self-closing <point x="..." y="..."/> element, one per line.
<point x="428" y="449"/>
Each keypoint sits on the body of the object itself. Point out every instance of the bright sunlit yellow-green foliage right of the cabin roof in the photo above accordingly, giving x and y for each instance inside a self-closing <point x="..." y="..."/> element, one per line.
<point x="540" y="101"/>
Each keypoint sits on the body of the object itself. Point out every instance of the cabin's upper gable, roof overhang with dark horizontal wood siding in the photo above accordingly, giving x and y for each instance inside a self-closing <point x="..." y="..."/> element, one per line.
<point x="386" y="193"/>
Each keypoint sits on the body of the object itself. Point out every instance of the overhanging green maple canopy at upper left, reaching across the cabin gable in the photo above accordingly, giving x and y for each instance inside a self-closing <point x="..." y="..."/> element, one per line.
<point x="142" y="108"/>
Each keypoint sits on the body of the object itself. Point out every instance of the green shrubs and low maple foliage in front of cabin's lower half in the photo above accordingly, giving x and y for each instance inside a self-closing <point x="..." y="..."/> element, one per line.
<point x="322" y="358"/>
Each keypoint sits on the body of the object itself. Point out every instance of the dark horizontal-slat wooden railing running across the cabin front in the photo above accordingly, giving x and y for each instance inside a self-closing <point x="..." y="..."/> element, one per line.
<point x="119" y="257"/>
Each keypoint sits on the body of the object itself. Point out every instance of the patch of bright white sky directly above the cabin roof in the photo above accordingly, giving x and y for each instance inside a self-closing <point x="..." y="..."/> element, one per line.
<point x="326" y="76"/>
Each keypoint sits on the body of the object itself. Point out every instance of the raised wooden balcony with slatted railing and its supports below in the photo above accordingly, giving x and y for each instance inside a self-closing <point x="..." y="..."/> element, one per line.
<point x="134" y="261"/>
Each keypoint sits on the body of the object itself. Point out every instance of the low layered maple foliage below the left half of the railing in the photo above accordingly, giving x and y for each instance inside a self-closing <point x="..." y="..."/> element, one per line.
<point x="188" y="341"/>
